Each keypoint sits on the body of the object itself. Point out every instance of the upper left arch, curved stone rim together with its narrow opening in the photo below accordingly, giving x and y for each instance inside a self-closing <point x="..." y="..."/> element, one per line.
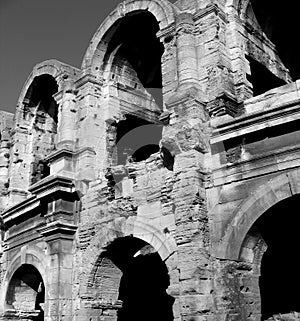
<point x="36" y="121"/>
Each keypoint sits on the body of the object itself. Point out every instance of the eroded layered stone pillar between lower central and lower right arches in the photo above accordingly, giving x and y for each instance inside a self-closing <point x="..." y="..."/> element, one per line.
<point x="187" y="138"/>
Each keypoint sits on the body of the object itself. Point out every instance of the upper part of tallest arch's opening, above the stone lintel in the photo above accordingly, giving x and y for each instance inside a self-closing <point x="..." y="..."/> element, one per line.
<point x="130" y="53"/>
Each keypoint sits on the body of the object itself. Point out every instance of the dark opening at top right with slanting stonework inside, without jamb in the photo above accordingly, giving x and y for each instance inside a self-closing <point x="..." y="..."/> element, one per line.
<point x="271" y="53"/>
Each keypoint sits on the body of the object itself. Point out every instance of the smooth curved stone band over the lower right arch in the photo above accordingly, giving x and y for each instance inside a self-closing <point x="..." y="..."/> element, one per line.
<point x="263" y="198"/>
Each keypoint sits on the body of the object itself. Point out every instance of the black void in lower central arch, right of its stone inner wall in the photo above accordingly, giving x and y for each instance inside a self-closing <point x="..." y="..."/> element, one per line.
<point x="143" y="289"/>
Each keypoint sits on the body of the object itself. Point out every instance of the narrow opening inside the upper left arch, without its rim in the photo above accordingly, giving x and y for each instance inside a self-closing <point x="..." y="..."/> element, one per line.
<point x="41" y="109"/>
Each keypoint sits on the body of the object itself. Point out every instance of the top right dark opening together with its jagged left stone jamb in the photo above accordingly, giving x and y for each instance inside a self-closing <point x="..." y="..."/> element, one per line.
<point x="267" y="50"/>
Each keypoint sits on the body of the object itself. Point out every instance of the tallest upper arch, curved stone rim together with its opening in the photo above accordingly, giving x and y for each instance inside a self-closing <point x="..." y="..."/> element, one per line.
<point x="126" y="53"/>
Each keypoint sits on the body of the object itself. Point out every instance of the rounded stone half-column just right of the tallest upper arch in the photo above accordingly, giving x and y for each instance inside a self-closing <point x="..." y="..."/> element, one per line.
<point x="186" y="51"/>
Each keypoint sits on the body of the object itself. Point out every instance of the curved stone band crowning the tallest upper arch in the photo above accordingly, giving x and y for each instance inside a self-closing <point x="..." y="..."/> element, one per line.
<point x="163" y="11"/>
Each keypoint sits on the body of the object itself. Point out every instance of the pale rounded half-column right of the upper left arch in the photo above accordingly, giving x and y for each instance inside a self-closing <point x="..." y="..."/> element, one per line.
<point x="67" y="116"/>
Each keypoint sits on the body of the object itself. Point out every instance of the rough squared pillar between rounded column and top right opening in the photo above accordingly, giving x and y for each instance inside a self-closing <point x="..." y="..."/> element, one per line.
<point x="215" y="70"/>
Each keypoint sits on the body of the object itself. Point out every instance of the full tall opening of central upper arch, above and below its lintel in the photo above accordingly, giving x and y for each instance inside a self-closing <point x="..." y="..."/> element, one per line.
<point x="132" y="58"/>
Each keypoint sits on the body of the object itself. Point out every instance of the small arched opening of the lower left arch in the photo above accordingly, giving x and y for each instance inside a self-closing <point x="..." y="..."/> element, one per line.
<point x="26" y="292"/>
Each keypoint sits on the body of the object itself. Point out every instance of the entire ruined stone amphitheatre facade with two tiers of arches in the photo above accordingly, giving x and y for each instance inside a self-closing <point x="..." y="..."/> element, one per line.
<point x="186" y="210"/>
